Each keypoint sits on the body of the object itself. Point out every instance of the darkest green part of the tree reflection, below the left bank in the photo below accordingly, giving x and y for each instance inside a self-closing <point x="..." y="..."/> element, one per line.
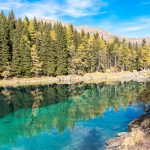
<point x="27" y="97"/>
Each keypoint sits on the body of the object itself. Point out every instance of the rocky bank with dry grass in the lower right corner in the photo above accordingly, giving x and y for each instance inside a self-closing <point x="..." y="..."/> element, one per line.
<point x="138" y="137"/>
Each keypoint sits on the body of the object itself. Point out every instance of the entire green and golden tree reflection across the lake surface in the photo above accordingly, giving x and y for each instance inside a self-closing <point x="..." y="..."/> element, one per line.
<point x="66" y="104"/>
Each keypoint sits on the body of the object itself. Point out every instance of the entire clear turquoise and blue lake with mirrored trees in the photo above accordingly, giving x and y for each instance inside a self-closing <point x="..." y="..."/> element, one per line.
<point x="67" y="117"/>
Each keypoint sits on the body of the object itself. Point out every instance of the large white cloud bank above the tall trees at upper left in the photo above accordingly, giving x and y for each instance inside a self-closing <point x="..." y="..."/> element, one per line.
<point x="54" y="8"/>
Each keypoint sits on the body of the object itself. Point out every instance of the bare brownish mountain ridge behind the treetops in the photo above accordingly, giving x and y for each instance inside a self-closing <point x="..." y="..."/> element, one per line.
<point x="106" y="35"/>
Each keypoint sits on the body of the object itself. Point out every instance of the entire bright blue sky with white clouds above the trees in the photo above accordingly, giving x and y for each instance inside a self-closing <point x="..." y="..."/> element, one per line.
<point x="121" y="17"/>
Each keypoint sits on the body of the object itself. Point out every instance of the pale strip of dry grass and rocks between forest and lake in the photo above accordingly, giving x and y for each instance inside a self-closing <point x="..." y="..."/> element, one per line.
<point x="96" y="77"/>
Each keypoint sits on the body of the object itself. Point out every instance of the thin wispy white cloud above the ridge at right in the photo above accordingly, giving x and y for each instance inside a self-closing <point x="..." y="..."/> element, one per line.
<point x="133" y="28"/>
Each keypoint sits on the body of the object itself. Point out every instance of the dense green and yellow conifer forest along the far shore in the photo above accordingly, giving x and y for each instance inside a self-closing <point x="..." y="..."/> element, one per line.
<point x="36" y="48"/>
